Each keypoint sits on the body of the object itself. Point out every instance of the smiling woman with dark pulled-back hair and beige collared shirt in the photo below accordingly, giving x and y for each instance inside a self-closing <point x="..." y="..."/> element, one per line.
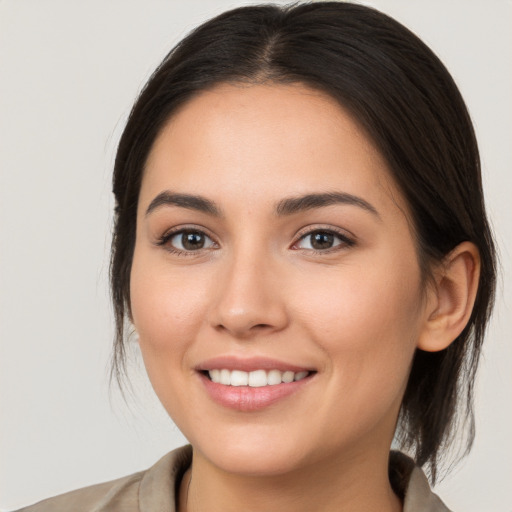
<point x="302" y="248"/>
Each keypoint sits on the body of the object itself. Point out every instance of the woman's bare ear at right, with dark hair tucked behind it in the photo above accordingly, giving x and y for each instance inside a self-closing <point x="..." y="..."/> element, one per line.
<point x="451" y="298"/>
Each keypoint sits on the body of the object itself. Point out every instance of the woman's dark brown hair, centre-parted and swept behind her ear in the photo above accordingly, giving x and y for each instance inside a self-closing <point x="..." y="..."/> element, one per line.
<point x="408" y="104"/>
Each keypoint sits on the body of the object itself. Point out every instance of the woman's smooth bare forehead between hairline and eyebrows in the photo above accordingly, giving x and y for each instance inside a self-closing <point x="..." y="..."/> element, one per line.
<point x="262" y="141"/>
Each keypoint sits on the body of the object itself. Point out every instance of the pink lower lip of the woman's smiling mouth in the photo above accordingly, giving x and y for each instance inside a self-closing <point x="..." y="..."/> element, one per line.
<point x="246" y="398"/>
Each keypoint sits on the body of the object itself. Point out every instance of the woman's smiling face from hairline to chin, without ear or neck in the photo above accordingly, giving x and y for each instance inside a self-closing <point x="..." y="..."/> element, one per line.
<point x="272" y="245"/>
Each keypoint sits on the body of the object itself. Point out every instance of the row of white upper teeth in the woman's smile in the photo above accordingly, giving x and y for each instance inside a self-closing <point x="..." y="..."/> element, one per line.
<point x="255" y="379"/>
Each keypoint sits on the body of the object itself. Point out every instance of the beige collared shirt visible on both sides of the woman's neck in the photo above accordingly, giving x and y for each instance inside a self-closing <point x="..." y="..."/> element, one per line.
<point x="155" y="489"/>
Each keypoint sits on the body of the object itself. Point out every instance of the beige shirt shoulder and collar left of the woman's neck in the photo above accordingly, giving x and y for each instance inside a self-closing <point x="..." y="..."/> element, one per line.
<point x="153" y="489"/>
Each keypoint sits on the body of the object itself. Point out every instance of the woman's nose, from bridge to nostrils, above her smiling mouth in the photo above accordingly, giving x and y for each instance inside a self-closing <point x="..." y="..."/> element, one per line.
<point x="249" y="299"/>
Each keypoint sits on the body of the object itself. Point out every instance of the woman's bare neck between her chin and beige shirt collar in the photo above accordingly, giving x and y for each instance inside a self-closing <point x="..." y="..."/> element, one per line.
<point x="353" y="485"/>
